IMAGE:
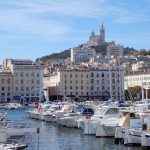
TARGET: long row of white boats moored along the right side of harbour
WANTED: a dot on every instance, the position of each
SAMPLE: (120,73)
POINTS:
(128,125)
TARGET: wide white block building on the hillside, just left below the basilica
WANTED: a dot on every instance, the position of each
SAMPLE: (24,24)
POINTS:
(82,54)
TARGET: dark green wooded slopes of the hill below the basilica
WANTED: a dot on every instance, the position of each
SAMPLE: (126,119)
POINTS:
(66,53)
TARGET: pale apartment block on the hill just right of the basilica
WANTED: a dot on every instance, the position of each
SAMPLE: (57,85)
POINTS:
(115,50)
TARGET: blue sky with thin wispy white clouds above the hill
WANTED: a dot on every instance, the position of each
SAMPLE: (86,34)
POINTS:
(30,29)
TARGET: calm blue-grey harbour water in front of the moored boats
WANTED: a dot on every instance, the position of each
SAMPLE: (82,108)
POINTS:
(56,137)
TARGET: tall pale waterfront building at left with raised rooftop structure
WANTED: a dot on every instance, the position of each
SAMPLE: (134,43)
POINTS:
(27,79)
